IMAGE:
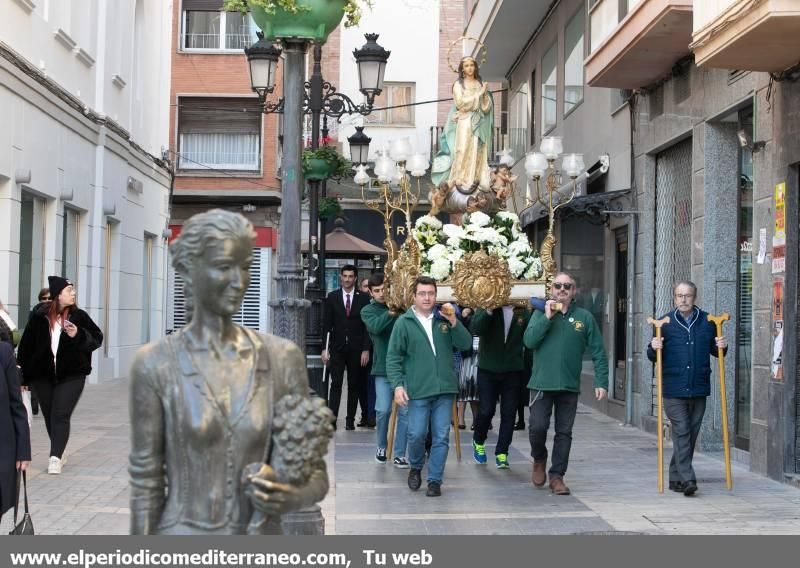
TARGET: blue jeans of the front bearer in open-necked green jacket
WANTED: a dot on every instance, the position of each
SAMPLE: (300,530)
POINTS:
(436,411)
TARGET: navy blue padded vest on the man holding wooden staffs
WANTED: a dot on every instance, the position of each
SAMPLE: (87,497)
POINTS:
(685,356)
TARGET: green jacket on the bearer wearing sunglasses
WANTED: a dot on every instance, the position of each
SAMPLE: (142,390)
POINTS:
(559,344)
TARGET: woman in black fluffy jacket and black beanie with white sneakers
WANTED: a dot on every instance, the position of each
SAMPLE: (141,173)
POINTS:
(56,355)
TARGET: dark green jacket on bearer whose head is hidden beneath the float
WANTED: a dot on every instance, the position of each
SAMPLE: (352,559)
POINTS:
(498,353)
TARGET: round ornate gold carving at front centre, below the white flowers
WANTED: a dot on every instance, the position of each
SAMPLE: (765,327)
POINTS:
(482,281)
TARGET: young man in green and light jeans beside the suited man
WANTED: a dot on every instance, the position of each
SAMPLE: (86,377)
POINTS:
(380,322)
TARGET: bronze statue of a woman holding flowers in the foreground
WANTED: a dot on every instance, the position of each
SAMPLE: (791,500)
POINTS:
(203,404)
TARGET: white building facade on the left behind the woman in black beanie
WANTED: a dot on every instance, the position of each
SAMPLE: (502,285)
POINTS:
(84,192)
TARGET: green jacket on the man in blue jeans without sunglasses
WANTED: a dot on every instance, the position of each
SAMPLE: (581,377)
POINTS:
(411,363)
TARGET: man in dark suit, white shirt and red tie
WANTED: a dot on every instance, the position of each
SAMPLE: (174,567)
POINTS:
(349,343)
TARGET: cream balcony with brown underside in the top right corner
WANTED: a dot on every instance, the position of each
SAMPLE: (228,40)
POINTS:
(747,35)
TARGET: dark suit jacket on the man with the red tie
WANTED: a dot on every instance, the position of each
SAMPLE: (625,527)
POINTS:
(347,333)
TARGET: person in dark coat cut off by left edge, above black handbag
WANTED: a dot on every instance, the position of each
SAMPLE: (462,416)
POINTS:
(15,450)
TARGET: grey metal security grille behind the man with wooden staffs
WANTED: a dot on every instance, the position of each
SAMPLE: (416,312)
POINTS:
(673,224)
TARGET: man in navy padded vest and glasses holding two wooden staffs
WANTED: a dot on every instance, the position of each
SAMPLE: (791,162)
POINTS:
(687,341)
